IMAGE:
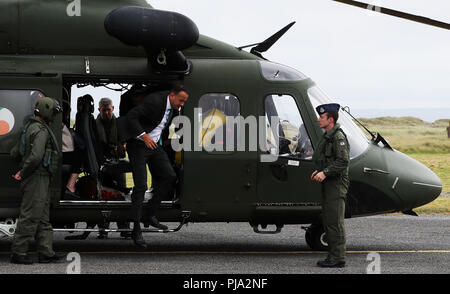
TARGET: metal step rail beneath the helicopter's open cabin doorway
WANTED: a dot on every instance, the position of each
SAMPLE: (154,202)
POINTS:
(185,215)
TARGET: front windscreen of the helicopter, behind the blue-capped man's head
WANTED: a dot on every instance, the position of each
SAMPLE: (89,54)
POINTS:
(358,141)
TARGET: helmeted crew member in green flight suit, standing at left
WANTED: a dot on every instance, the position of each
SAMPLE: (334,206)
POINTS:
(40,154)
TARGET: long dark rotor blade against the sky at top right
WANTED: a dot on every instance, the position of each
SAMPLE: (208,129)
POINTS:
(396,13)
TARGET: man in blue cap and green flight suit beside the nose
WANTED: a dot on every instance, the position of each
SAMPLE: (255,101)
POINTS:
(332,159)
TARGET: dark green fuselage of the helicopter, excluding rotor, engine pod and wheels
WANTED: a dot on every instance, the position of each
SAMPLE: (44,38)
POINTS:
(214,186)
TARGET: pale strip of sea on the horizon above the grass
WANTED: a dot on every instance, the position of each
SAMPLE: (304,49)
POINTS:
(425,114)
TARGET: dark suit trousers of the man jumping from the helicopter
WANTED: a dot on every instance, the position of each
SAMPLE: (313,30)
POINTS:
(163,176)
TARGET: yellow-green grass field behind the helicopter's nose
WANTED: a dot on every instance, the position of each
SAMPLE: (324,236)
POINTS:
(428,143)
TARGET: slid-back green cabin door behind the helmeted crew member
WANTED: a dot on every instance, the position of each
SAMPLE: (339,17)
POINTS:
(18,96)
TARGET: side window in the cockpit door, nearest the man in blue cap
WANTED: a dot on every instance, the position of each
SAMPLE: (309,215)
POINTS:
(293,139)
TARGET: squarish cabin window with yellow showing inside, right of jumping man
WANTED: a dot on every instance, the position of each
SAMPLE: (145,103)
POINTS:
(214,110)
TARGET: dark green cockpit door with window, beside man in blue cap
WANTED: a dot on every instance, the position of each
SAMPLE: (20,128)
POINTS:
(285,191)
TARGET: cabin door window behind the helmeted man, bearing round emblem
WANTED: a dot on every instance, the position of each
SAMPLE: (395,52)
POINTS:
(15,106)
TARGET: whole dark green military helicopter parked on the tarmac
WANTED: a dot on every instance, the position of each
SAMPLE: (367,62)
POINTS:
(49,47)
